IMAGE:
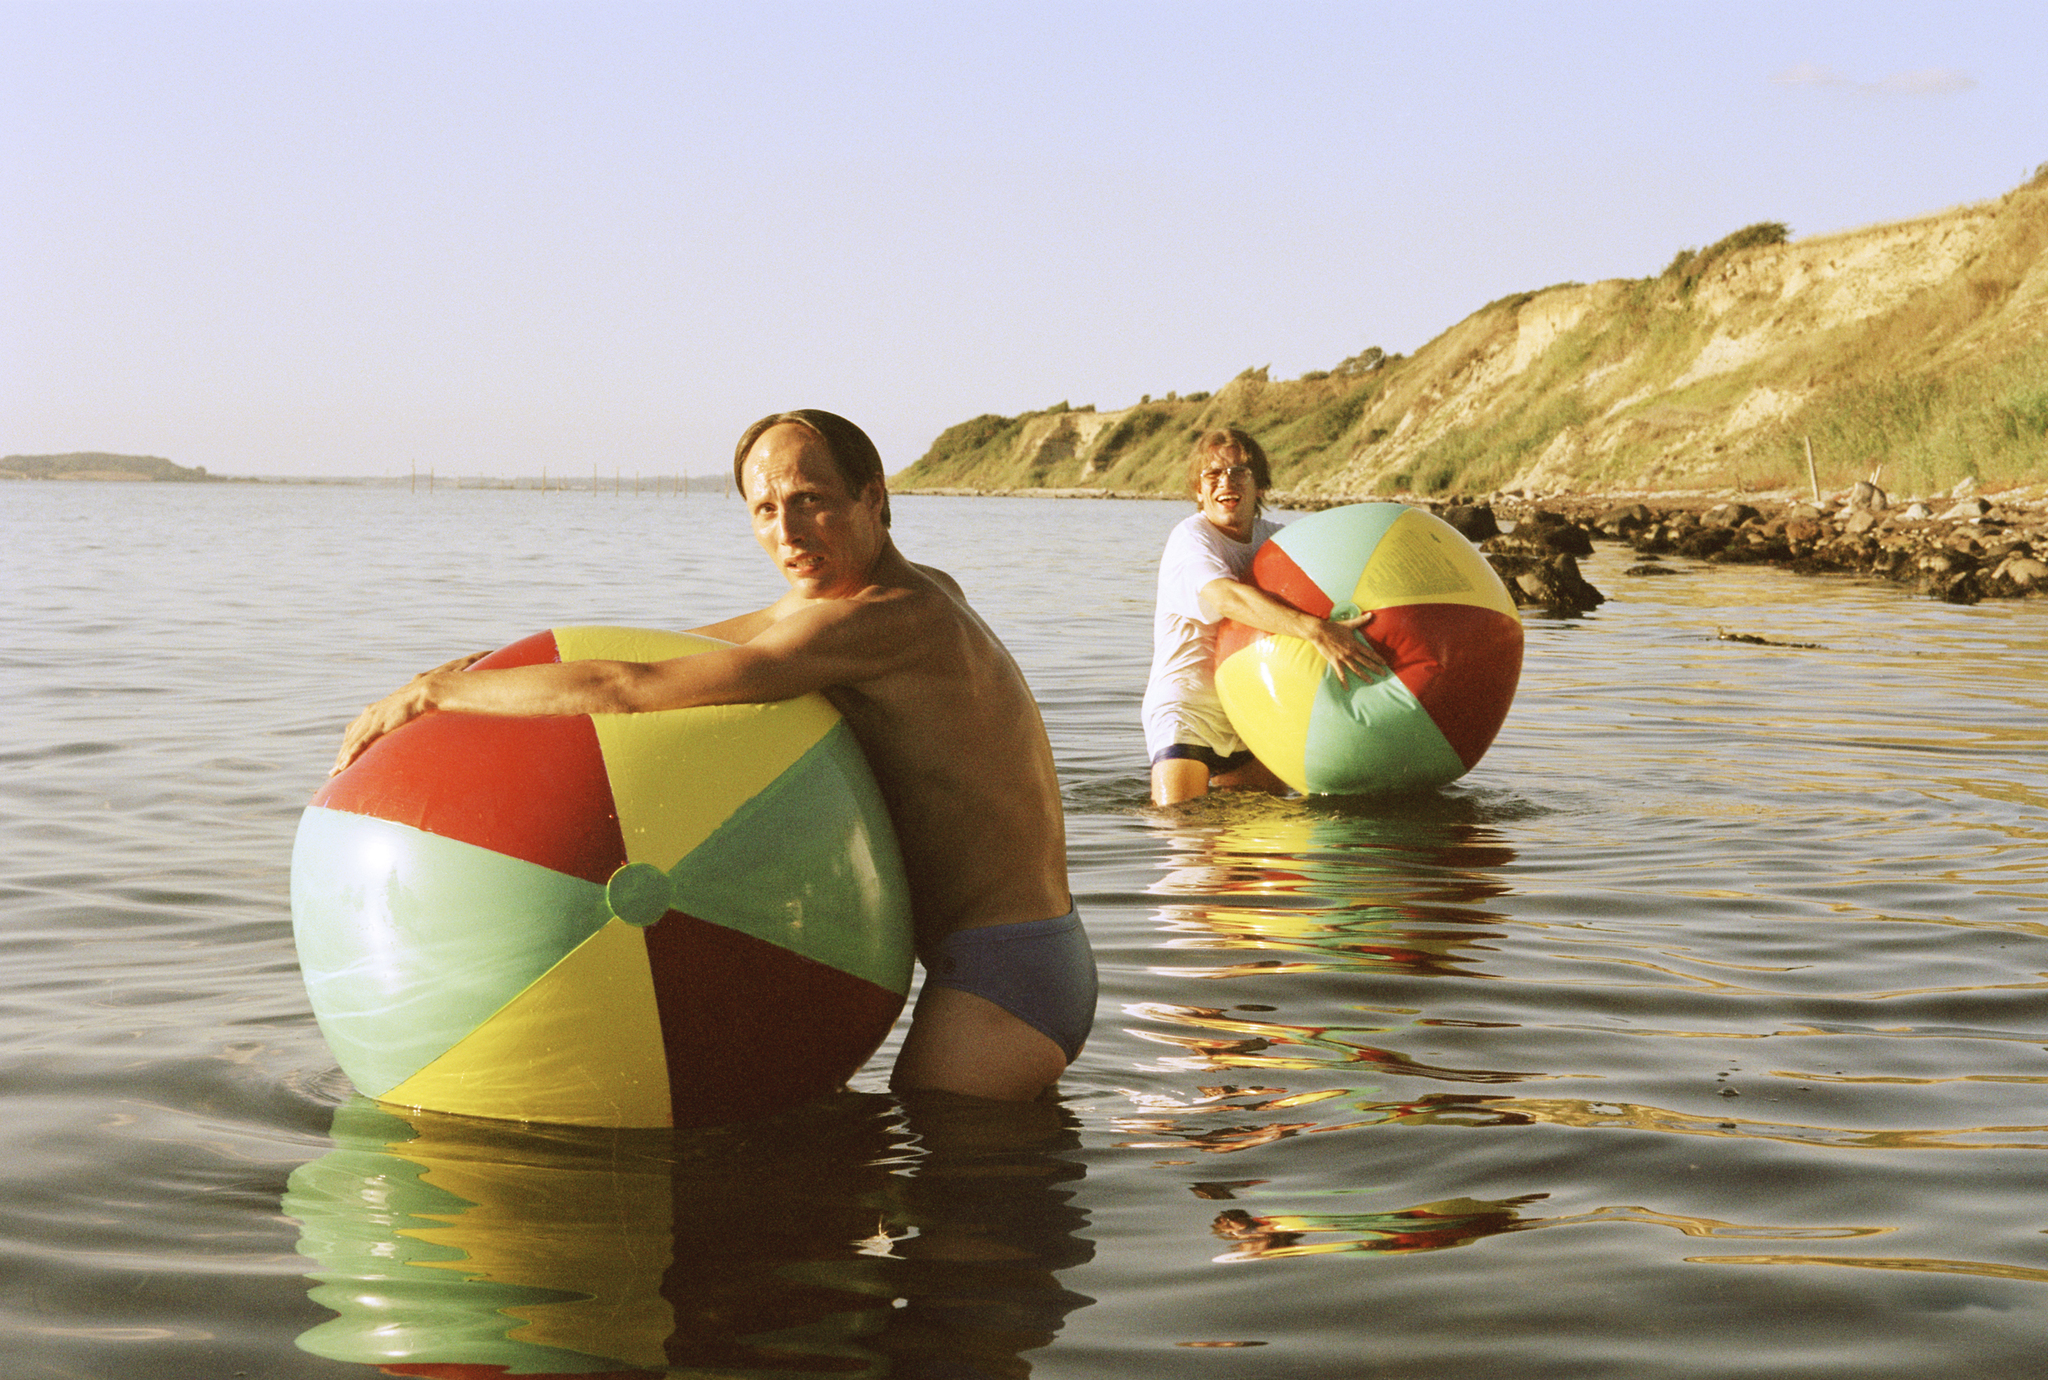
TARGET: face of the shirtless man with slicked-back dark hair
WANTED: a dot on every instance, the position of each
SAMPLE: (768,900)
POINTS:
(820,537)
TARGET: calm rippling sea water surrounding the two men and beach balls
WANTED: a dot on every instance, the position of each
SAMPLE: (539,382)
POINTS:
(1699,1033)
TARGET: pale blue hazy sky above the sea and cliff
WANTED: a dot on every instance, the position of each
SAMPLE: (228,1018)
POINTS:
(341,239)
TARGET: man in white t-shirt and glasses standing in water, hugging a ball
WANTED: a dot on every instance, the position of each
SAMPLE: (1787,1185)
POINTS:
(1189,738)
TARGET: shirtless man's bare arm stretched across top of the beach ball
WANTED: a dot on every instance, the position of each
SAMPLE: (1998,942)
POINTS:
(837,644)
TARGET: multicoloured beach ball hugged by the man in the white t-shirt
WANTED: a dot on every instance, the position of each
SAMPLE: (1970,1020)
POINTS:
(1441,619)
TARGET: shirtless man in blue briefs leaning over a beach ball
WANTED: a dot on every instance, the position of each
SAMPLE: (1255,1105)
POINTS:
(949,728)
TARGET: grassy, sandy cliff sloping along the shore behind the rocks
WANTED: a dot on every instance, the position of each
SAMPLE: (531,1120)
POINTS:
(1918,347)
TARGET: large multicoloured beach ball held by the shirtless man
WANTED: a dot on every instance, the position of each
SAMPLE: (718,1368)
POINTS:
(605,920)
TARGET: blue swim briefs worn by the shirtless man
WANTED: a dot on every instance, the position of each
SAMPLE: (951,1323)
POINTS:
(1041,972)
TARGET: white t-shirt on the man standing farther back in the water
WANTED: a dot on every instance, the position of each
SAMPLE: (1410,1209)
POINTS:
(1181,699)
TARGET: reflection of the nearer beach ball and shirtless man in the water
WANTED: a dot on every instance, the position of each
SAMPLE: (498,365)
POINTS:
(849,1238)
